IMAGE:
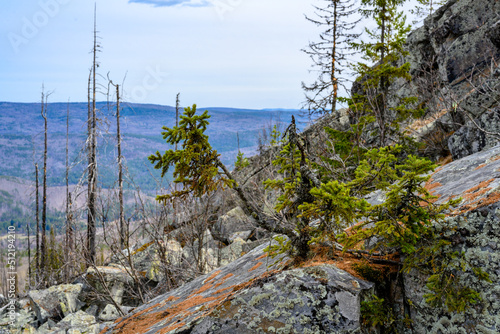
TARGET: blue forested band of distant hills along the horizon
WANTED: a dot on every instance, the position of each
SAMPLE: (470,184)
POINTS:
(21,138)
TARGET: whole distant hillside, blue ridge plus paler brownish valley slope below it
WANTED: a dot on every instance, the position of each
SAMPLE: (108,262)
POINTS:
(21,145)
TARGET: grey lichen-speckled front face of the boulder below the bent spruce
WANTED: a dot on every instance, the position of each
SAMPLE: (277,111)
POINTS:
(321,299)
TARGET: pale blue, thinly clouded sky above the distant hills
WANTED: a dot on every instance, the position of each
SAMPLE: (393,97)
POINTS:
(216,53)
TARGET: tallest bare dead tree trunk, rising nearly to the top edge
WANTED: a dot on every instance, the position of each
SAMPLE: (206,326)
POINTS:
(92,175)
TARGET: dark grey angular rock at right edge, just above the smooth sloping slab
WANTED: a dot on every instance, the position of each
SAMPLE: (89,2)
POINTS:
(476,136)
